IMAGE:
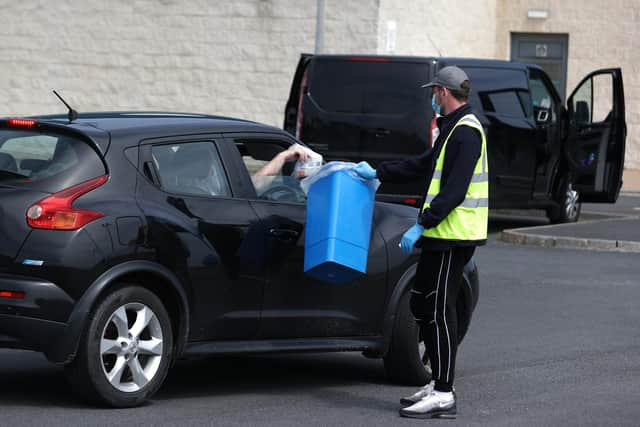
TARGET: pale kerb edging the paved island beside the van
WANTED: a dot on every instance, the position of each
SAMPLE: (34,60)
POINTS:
(520,236)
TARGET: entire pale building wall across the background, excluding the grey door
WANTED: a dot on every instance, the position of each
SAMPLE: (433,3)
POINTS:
(237,57)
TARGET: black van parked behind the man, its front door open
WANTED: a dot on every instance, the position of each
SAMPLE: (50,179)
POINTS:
(542,154)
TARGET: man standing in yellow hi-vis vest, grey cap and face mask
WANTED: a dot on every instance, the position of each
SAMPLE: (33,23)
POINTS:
(452,222)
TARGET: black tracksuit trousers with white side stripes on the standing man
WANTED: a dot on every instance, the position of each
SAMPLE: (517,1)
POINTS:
(433,304)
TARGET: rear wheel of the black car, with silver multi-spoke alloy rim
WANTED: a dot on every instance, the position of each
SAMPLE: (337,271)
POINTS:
(125,351)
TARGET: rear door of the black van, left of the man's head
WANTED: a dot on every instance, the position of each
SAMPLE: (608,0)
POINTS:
(354,108)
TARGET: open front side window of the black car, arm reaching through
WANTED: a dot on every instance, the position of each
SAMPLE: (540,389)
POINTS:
(282,186)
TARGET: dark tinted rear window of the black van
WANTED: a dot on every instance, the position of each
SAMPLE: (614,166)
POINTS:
(363,87)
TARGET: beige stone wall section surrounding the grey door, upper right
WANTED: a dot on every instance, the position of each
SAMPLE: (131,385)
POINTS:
(601,35)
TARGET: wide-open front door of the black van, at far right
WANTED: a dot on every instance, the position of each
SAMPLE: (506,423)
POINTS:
(596,136)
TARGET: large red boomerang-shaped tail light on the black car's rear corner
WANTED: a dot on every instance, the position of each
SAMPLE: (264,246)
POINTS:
(56,211)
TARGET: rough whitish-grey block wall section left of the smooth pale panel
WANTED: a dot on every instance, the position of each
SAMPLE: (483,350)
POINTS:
(229,57)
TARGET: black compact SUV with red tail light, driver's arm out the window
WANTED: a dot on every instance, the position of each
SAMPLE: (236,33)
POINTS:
(130,240)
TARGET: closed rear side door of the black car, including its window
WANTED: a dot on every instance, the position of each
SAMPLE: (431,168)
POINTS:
(198,230)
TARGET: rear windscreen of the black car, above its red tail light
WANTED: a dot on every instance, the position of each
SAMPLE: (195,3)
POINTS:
(46,162)
